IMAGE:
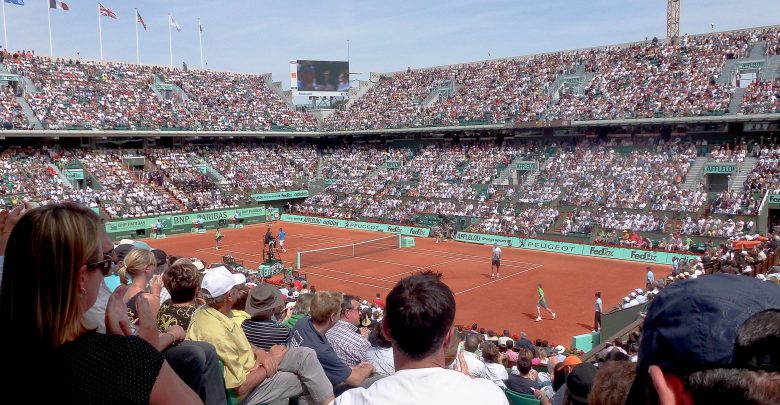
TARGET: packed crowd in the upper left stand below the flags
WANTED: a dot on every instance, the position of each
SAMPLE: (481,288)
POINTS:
(106,95)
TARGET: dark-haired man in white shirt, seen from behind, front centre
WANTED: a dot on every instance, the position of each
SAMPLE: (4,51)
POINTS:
(419,340)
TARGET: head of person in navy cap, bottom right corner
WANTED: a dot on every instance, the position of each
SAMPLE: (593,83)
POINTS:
(712,340)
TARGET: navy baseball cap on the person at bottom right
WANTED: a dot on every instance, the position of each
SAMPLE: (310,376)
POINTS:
(693,324)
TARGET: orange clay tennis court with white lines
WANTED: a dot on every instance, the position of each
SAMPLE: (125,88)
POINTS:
(569,282)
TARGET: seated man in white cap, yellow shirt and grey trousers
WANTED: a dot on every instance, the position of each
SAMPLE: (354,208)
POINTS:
(254,374)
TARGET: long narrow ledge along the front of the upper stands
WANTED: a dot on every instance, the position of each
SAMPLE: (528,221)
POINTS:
(317,134)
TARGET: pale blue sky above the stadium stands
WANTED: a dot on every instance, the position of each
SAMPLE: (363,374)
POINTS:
(262,36)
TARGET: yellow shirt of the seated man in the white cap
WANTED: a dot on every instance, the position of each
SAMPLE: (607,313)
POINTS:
(235,352)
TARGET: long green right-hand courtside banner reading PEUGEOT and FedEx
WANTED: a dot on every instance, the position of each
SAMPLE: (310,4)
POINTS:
(606,252)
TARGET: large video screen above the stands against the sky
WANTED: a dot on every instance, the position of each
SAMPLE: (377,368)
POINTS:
(317,77)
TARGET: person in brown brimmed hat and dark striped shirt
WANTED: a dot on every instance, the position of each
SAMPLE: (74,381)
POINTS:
(263,330)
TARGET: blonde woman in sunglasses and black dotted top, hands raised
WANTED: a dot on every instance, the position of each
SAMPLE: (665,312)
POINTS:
(56,258)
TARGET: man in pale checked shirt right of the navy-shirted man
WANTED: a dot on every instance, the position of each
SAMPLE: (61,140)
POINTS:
(349,342)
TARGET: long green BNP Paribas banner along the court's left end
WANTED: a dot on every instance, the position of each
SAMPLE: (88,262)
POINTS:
(169,221)
